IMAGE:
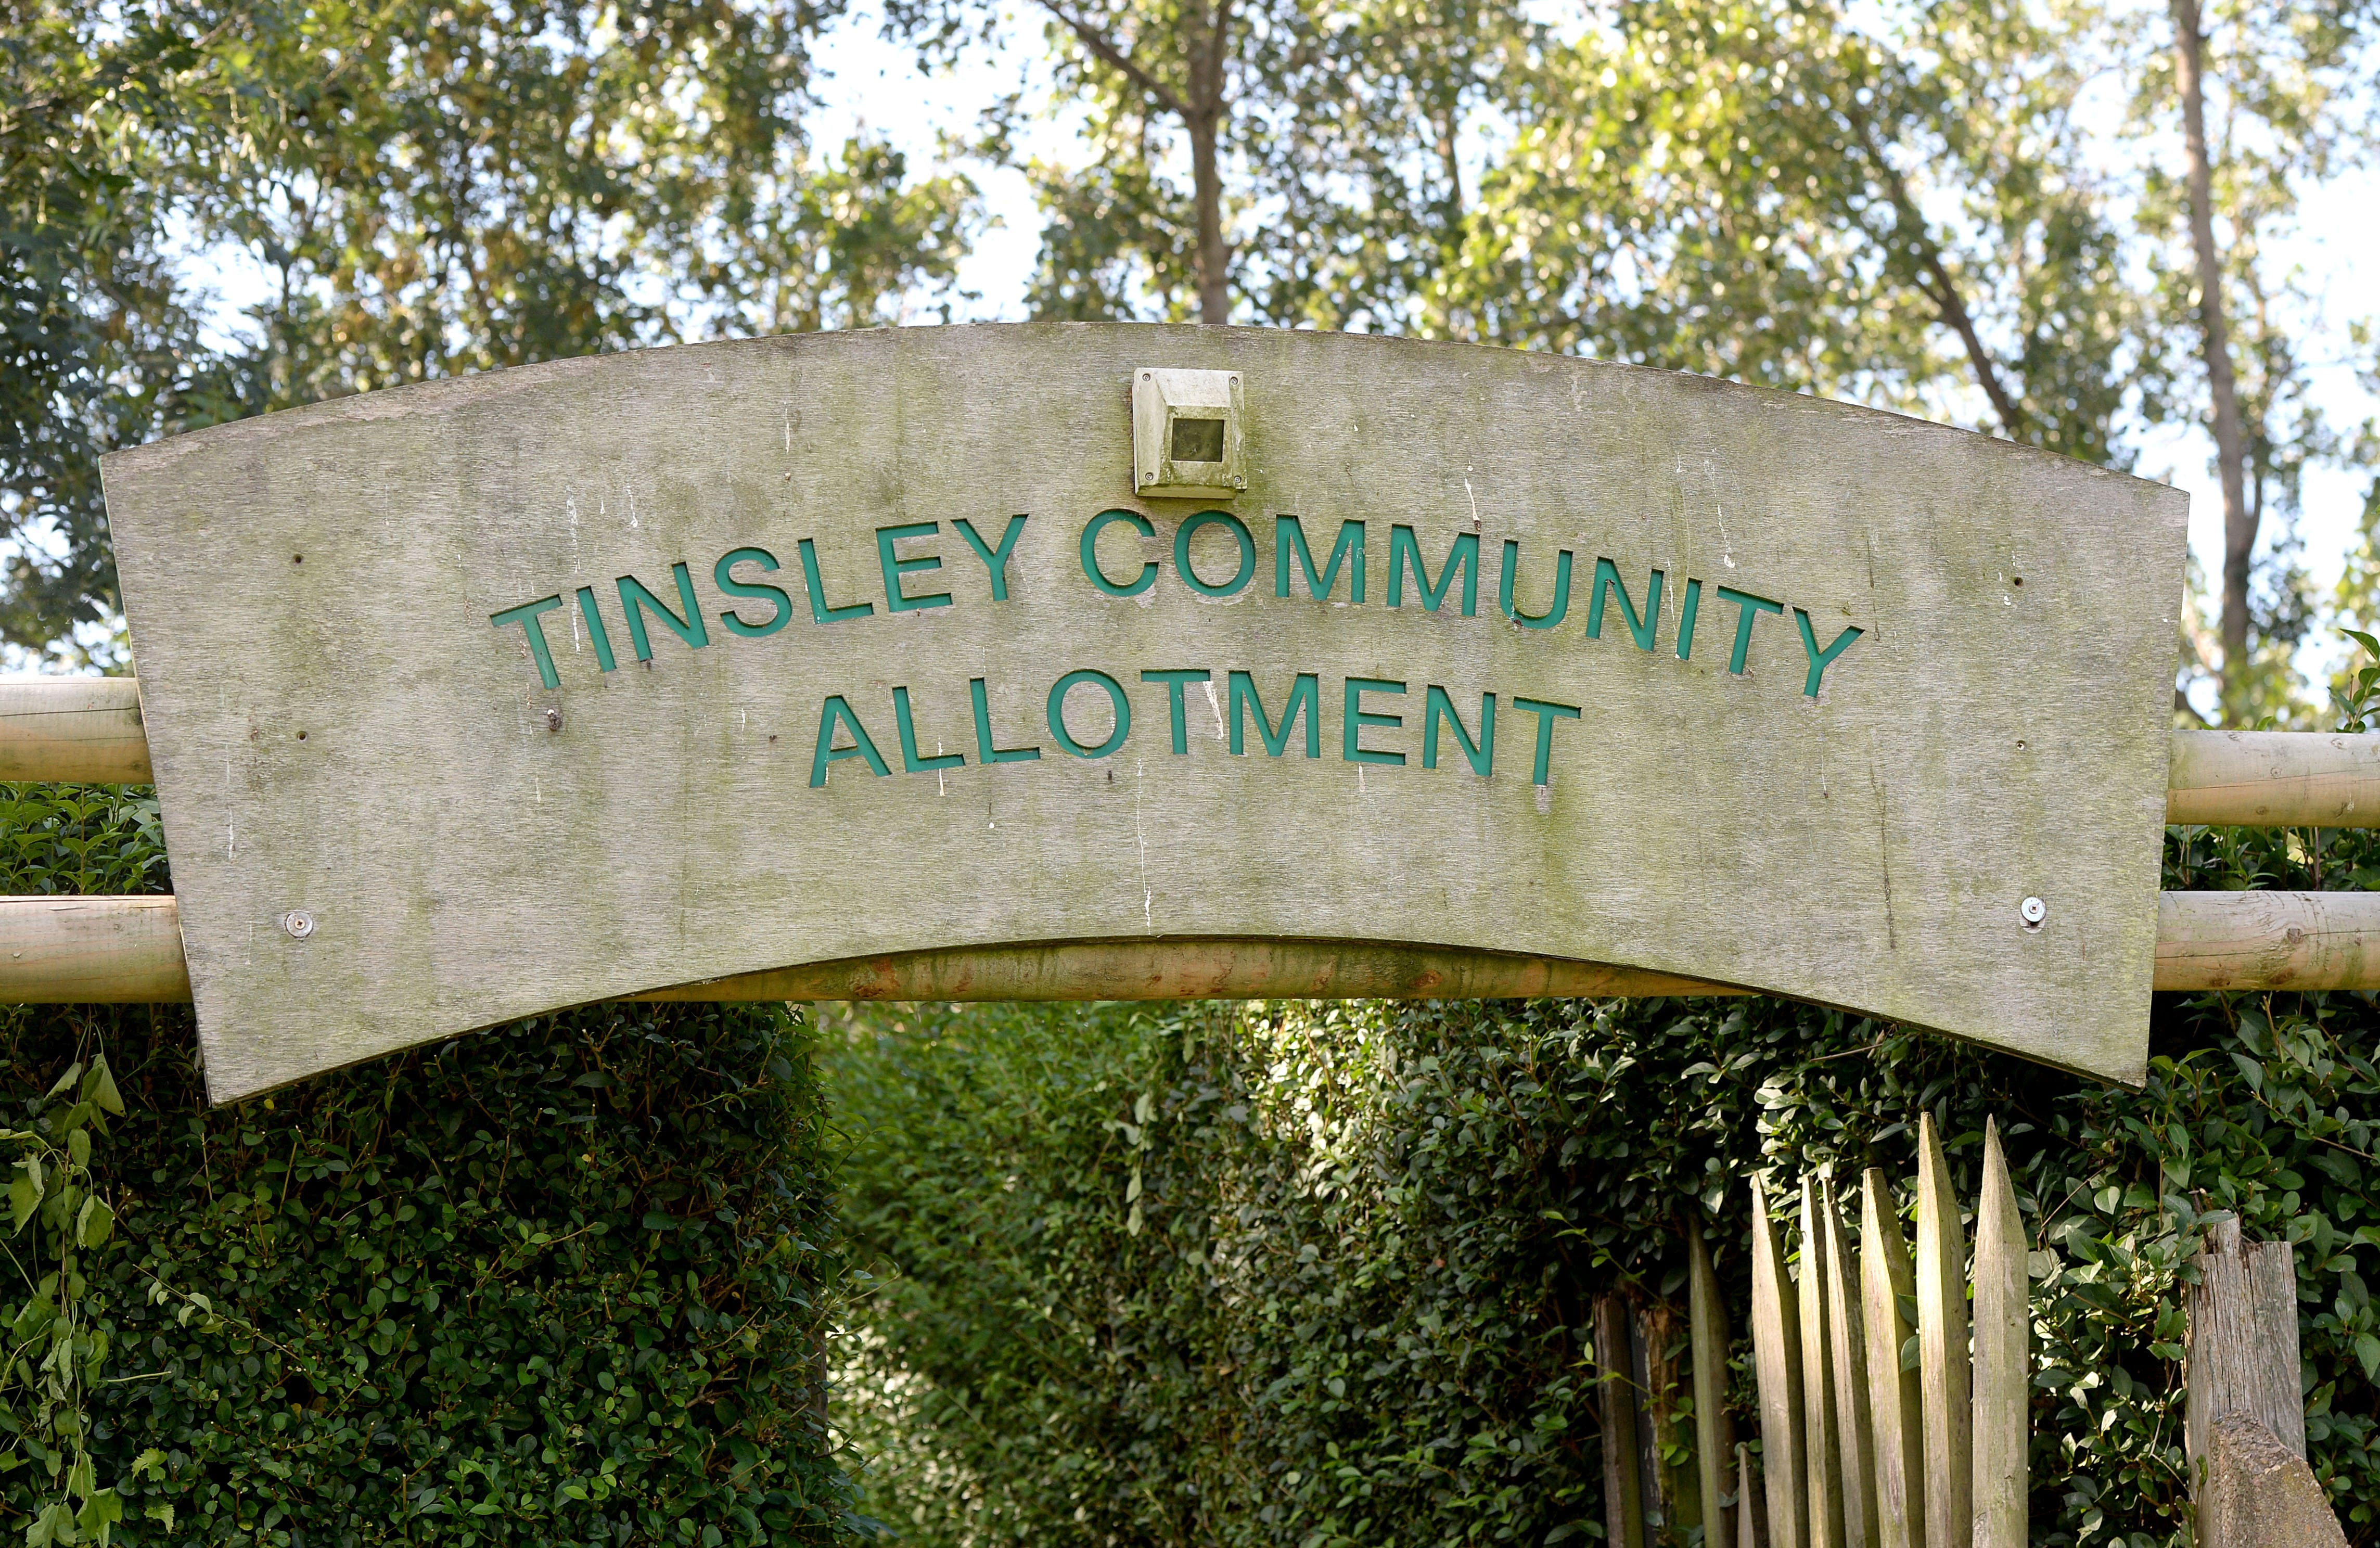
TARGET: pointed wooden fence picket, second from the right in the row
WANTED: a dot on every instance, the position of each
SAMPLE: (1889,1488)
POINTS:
(1943,1352)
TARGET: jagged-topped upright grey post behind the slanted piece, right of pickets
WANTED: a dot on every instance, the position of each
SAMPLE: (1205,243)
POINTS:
(2243,1342)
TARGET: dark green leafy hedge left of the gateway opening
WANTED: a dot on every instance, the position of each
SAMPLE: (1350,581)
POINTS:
(565,1282)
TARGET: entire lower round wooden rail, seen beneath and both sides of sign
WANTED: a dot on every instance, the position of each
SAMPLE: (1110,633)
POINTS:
(127,951)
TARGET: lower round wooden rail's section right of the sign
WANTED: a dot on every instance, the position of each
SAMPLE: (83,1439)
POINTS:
(2269,942)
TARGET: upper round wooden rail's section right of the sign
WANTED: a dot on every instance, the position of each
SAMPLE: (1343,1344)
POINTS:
(2326,780)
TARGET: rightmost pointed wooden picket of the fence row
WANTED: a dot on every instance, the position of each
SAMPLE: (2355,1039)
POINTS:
(2003,1356)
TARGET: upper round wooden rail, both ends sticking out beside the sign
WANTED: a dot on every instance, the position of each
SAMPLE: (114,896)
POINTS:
(89,730)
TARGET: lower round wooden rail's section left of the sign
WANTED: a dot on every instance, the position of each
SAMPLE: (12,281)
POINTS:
(92,951)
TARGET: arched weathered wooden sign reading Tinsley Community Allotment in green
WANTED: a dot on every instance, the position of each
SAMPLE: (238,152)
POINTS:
(503,694)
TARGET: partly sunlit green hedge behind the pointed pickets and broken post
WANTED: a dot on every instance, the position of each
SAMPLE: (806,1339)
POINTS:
(1322,1275)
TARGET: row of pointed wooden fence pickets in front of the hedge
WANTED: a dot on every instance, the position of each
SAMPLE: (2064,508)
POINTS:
(1860,1444)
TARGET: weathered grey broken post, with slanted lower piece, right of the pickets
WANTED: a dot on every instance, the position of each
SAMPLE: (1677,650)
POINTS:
(2246,1428)
